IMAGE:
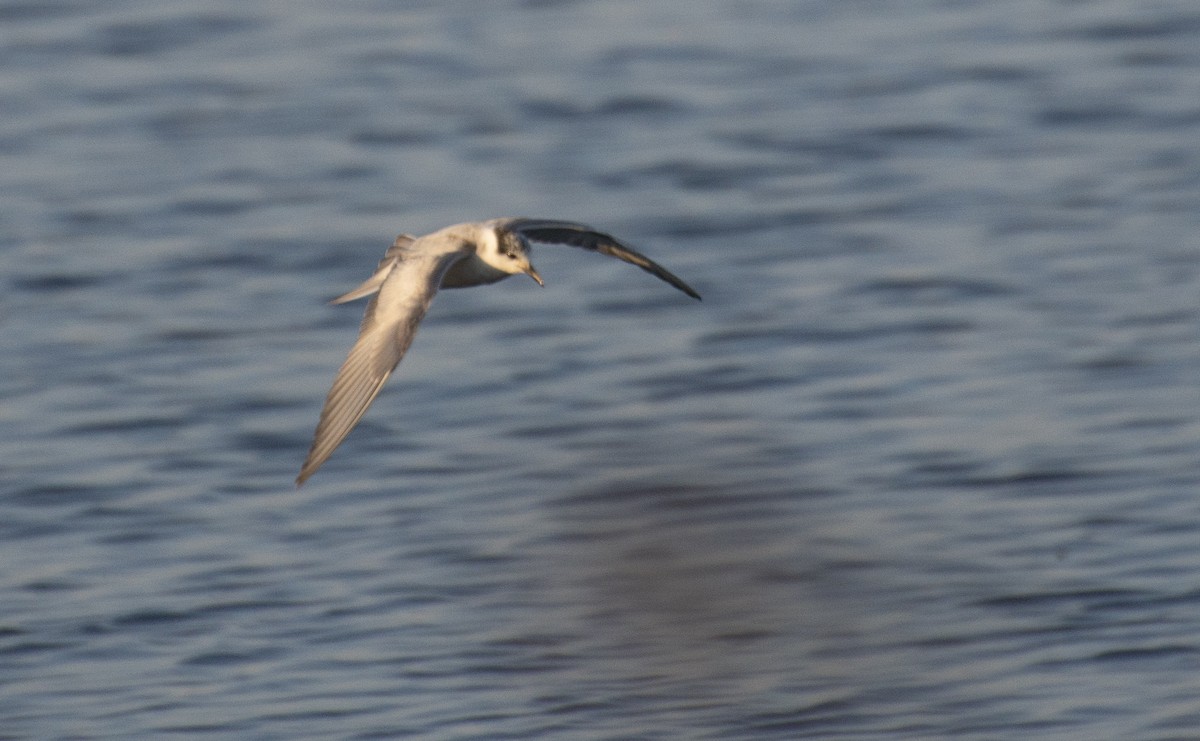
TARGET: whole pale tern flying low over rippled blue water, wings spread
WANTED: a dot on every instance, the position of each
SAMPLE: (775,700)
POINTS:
(404,286)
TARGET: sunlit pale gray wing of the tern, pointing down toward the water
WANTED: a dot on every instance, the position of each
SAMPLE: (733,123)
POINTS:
(388,330)
